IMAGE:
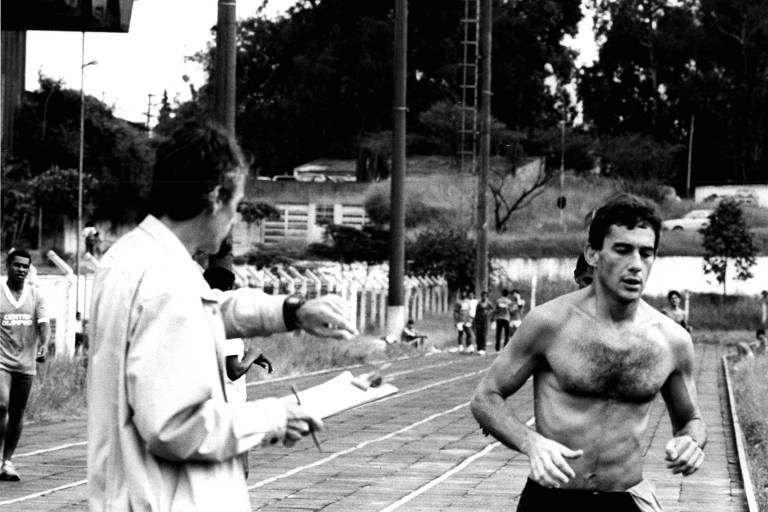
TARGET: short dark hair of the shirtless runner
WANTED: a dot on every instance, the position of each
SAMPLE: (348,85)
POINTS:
(626,210)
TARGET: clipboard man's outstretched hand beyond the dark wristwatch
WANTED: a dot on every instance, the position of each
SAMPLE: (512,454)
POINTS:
(326,316)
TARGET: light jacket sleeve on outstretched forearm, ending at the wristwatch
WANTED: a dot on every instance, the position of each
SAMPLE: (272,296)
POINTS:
(248,312)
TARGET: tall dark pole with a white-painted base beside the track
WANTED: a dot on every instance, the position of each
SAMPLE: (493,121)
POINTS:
(395,298)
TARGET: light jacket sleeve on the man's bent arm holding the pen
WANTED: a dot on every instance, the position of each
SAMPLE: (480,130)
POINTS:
(172,377)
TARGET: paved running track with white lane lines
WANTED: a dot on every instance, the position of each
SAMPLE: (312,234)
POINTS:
(419,450)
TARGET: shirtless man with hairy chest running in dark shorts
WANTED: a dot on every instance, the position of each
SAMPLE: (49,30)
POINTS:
(598,356)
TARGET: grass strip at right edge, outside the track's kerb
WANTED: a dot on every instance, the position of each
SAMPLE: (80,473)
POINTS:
(751,390)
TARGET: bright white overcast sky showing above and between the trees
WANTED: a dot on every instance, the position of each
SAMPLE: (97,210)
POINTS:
(151,57)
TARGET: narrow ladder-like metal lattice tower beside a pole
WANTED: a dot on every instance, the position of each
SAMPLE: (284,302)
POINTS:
(470,25)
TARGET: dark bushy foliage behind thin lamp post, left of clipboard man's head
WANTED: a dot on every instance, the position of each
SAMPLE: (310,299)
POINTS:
(117,154)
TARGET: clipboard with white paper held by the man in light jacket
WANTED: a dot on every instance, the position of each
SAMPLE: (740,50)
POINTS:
(337,395)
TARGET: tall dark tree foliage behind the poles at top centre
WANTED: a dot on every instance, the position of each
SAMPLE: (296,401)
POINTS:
(317,81)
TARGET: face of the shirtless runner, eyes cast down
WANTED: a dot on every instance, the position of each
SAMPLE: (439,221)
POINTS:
(625,261)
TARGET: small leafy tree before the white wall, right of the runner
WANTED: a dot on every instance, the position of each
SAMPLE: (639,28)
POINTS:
(728,239)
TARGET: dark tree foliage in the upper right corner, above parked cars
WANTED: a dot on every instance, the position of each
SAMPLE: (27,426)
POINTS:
(662,63)
